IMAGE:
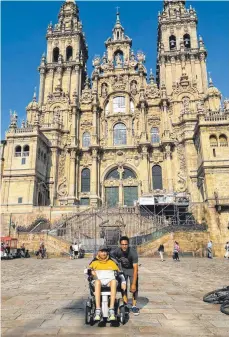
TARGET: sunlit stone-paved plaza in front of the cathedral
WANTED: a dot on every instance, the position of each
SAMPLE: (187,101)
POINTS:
(47,297)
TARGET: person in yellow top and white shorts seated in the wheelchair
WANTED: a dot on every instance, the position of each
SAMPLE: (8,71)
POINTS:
(104,271)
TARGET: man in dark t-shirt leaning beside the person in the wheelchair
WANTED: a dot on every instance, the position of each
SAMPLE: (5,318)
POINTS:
(128,258)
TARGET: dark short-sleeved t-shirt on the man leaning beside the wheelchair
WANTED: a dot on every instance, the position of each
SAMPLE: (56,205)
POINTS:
(127,259)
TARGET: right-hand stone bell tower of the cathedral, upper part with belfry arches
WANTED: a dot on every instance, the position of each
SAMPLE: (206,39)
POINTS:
(178,49)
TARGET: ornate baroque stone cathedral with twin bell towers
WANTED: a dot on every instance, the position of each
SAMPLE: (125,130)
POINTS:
(123,135)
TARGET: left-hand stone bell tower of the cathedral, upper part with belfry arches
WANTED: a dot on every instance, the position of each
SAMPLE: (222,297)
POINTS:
(63,65)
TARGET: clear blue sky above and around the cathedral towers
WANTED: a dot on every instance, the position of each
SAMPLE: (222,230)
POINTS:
(24,27)
